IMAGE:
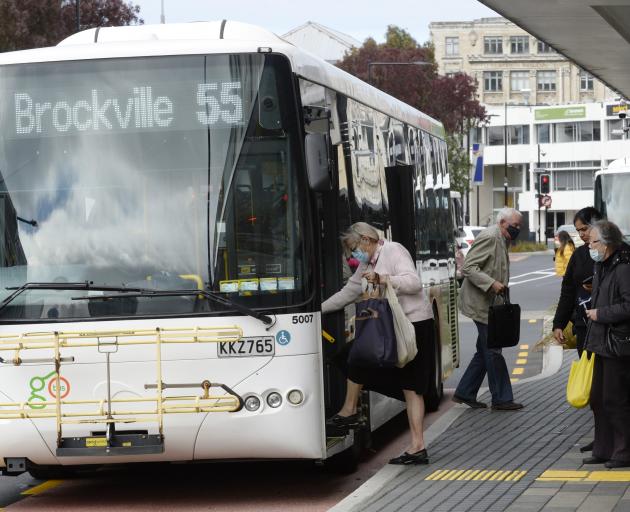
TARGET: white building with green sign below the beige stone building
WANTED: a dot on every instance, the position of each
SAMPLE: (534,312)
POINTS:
(570,142)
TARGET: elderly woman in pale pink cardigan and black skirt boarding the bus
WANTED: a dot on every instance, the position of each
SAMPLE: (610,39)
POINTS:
(381,262)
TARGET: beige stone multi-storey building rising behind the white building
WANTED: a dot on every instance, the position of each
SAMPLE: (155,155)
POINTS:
(510,65)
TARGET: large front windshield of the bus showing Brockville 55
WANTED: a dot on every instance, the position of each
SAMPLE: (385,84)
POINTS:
(164,173)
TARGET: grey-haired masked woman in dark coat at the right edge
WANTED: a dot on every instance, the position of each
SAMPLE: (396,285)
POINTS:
(609,319)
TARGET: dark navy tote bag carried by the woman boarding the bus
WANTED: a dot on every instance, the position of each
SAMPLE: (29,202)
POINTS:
(374,343)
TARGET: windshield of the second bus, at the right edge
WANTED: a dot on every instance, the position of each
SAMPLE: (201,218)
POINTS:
(611,196)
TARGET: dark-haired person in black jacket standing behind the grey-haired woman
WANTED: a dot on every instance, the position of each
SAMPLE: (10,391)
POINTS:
(576,289)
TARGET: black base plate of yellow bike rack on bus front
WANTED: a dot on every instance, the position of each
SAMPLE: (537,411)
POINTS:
(121,444)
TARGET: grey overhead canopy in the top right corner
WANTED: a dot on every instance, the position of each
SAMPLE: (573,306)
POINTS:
(595,34)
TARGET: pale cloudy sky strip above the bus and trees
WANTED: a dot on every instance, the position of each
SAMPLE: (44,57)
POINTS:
(359,19)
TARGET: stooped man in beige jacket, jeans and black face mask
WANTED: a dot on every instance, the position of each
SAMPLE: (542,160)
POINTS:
(486,273)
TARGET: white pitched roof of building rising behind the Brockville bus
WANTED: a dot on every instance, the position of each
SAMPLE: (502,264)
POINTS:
(328,44)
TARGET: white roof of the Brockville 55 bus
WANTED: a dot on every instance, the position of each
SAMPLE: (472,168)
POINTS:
(218,37)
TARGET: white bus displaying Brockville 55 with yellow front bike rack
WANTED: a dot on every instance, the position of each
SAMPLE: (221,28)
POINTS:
(171,202)
